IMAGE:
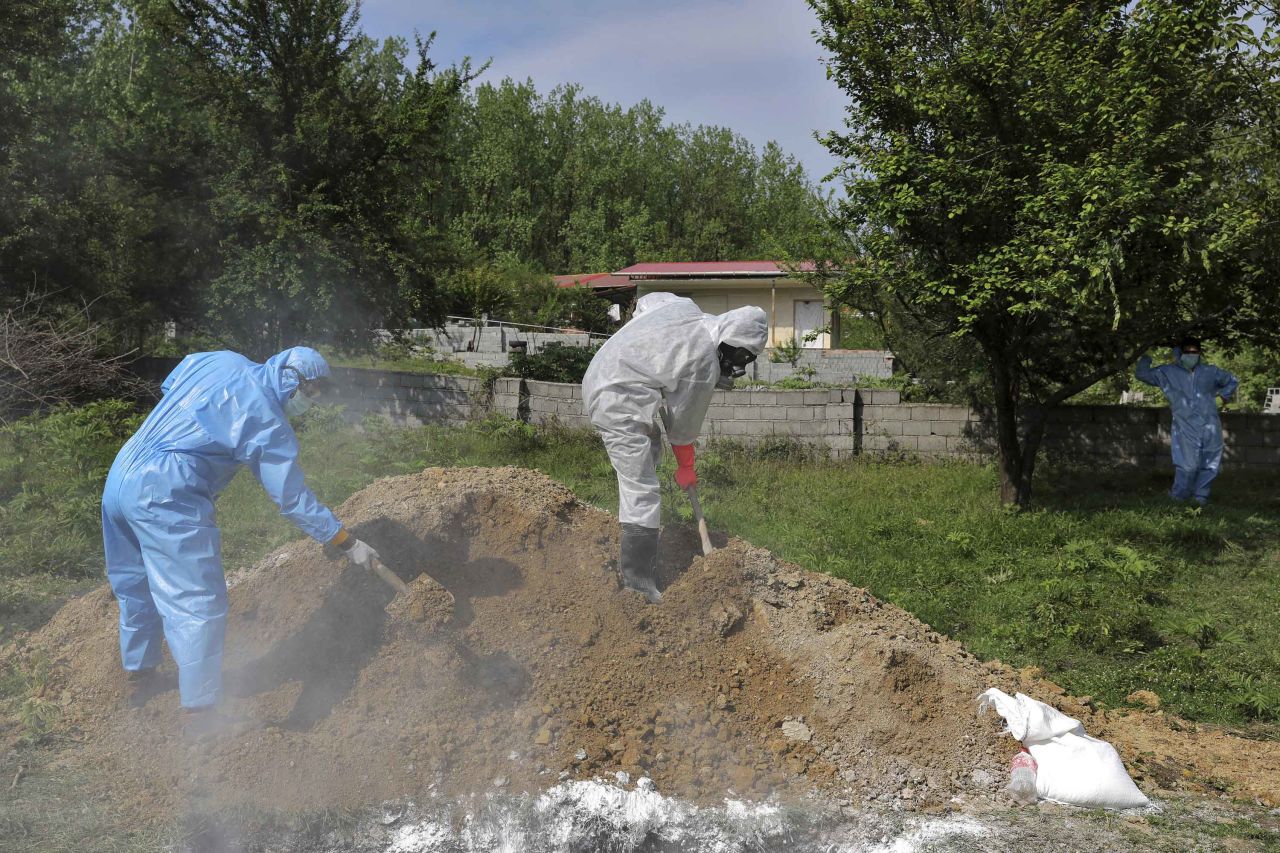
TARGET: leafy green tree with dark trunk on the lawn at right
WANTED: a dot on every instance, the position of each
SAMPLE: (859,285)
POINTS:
(1055,185)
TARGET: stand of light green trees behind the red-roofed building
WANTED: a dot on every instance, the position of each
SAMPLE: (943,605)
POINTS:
(574,185)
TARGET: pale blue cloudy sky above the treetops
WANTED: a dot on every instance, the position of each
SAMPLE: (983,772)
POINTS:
(752,66)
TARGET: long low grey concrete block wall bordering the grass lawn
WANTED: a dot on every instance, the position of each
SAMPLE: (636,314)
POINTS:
(839,422)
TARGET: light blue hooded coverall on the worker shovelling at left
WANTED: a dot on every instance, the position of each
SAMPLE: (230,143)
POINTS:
(220,412)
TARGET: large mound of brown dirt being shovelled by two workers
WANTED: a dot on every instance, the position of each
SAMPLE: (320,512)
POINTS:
(753,677)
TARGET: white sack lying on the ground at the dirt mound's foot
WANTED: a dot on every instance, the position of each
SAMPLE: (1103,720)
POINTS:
(1075,769)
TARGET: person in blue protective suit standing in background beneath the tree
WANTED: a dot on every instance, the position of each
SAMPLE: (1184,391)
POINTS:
(1192,389)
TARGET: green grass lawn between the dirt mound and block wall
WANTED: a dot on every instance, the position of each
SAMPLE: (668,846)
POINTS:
(1107,586)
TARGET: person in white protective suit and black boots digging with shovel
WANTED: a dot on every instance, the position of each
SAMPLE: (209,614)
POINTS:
(666,363)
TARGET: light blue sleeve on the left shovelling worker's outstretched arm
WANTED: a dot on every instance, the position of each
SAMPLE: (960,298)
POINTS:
(272,454)
